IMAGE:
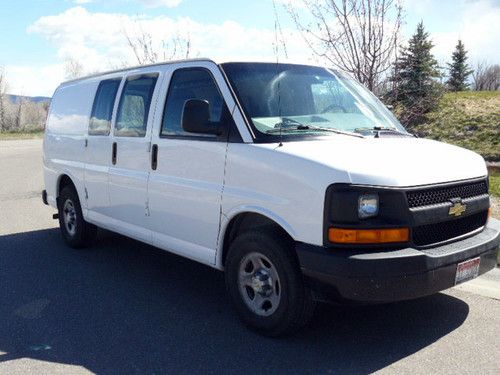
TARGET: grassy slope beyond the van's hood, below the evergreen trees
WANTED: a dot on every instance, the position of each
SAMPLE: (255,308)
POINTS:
(469,119)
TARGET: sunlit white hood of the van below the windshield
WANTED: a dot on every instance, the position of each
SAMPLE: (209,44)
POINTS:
(397,162)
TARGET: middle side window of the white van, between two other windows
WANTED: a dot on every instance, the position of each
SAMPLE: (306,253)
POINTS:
(133,111)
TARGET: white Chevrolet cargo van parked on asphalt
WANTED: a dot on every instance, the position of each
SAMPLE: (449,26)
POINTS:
(295,180)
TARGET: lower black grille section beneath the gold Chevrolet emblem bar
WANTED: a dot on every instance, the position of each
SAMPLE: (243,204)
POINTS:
(438,232)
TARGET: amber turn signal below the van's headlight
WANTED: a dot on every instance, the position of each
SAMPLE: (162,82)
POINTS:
(368,236)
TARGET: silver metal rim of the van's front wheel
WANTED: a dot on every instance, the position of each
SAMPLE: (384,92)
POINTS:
(259,284)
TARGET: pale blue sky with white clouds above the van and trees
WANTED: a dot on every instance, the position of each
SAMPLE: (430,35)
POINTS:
(38,37)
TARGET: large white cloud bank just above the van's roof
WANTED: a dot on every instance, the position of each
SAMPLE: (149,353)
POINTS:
(97,40)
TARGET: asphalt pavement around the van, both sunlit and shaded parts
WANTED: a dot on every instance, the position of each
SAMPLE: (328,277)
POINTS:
(122,307)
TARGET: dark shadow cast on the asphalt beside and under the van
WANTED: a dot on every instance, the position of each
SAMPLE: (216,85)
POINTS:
(125,307)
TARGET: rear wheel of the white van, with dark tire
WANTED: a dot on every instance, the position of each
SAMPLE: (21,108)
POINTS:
(77,233)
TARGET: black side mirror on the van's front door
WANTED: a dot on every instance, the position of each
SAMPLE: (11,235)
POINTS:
(196,118)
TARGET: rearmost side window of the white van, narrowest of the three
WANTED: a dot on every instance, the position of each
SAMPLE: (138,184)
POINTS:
(100,119)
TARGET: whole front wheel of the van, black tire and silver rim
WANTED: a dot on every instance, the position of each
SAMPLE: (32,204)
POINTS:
(269,272)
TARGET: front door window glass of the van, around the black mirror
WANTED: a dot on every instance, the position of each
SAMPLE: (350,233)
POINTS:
(191,83)
